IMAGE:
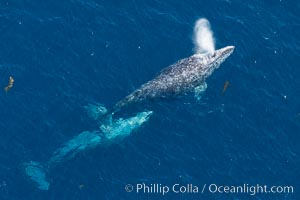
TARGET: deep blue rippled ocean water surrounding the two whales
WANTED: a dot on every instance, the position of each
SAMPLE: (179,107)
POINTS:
(64,55)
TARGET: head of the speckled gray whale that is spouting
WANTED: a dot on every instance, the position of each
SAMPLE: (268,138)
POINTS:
(212,60)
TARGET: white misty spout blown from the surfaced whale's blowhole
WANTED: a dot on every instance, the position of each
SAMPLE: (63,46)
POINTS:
(203,37)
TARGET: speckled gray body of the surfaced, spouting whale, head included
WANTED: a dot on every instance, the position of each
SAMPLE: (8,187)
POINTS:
(179,78)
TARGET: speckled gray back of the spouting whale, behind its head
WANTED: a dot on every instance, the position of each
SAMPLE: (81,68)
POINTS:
(176,79)
